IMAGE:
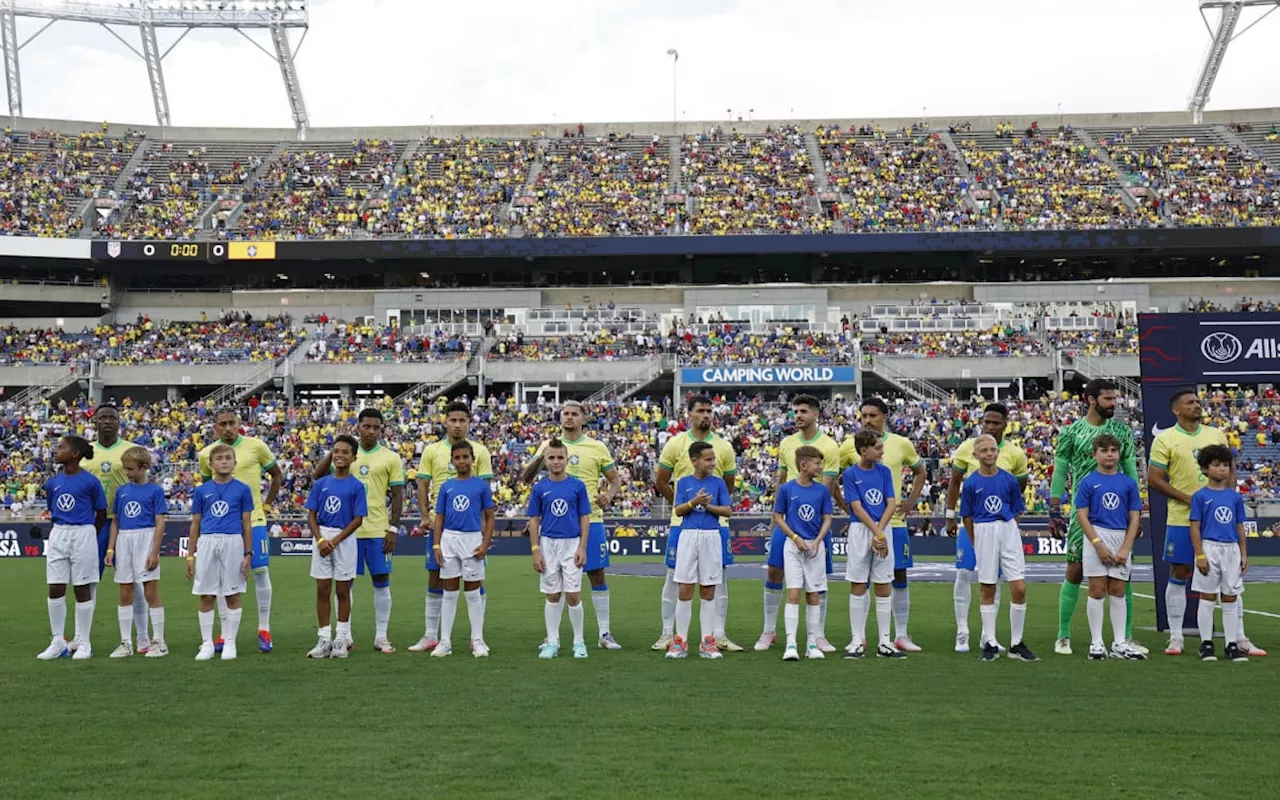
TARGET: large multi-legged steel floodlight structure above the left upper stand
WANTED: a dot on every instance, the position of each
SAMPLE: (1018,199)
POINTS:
(277,17)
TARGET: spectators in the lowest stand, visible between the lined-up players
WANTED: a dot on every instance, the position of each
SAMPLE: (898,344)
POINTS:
(636,433)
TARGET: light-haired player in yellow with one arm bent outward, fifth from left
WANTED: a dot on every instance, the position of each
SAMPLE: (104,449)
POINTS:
(589,461)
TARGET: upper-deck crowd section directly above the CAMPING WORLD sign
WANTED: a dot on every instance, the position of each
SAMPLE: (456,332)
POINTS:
(752,184)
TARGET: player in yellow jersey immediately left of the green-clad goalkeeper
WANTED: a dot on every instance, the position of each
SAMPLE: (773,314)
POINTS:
(1011,459)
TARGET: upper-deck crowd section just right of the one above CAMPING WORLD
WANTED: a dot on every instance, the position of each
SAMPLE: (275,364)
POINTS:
(898,181)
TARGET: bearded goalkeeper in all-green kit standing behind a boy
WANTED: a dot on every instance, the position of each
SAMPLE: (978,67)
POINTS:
(1073,456)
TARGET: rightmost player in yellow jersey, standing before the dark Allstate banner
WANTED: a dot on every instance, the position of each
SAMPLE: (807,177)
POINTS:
(1173,470)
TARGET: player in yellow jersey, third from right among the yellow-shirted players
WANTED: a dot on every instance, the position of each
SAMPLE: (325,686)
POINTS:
(899,456)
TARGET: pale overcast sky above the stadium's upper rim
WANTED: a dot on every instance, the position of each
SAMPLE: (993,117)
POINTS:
(404,62)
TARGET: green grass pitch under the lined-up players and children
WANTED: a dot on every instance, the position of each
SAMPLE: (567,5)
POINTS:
(620,725)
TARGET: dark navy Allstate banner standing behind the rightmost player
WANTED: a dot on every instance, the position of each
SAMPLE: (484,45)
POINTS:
(1182,351)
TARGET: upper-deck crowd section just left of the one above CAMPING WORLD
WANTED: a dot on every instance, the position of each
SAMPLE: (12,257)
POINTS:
(607,186)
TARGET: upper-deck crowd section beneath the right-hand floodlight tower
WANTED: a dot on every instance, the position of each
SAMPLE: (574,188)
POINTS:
(1201,179)
